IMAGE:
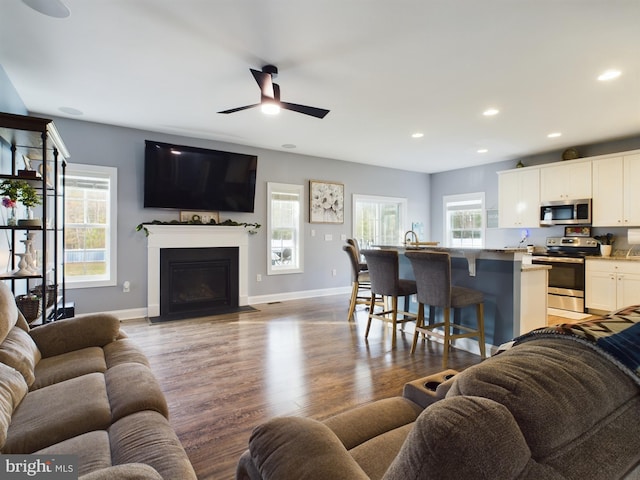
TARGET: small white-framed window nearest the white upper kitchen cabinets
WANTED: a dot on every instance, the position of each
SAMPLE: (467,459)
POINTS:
(464,224)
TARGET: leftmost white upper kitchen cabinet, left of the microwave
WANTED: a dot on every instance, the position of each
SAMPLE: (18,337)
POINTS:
(519,198)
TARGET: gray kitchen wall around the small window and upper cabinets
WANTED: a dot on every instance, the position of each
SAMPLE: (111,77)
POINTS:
(484,178)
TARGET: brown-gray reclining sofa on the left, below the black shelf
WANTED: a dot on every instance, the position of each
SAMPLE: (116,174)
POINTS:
(80,387)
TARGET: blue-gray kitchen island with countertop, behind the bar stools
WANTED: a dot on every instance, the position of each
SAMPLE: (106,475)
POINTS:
(515,294)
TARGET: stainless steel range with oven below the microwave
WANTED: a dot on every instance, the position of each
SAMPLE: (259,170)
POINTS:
(566,256)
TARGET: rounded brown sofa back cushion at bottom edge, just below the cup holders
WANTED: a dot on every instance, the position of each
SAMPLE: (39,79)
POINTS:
(465,437)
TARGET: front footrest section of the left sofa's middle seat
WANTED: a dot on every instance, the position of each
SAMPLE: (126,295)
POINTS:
(125,400)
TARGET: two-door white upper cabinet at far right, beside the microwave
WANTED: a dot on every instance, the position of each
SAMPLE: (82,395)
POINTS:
(615,193)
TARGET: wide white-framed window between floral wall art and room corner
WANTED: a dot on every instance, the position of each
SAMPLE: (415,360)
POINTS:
(378,220)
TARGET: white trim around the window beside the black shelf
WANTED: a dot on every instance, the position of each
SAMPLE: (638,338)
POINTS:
(73,169)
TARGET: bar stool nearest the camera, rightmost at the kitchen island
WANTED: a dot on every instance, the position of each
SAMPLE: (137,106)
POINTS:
(432,271)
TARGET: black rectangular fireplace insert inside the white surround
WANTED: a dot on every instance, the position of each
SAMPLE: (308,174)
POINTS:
(196,282)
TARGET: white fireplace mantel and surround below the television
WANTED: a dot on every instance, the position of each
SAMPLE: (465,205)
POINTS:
(193,236)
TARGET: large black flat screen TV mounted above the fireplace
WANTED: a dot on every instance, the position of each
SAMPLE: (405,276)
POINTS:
(191,178)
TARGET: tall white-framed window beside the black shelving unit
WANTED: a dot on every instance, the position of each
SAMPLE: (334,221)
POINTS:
(90,219)
